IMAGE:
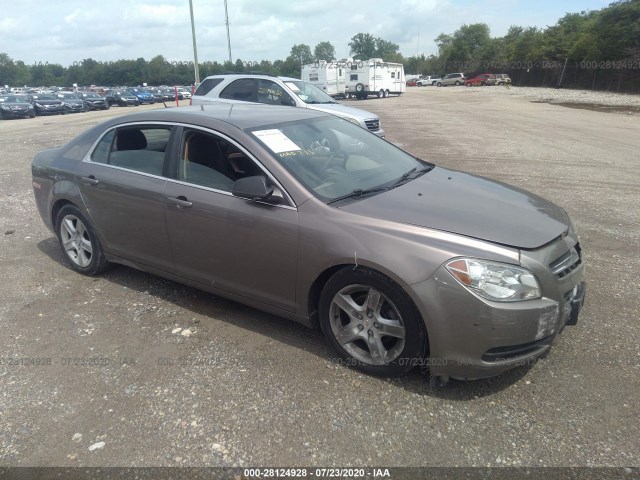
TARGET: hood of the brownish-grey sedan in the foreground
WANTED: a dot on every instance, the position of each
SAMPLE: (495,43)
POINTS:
(469,205)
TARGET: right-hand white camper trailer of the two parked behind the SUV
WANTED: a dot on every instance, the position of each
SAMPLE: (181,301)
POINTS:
(375,77)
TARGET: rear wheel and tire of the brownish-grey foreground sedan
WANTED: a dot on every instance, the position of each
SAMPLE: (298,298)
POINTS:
(78,241)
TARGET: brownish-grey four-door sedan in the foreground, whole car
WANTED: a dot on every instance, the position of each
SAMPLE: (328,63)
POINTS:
(305,215)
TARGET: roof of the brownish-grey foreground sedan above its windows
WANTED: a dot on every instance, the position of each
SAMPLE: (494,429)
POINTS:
(242,115)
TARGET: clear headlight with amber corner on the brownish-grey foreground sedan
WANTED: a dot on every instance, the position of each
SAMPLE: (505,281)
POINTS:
(495,281)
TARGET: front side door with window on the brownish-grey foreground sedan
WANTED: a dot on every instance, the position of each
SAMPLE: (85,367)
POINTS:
(232,244)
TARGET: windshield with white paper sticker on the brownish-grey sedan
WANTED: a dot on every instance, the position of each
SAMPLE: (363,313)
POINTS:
(338,161)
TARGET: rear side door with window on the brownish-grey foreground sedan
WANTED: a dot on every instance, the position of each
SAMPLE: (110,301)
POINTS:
(122,186)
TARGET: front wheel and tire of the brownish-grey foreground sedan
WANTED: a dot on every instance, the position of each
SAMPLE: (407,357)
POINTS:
(371,322)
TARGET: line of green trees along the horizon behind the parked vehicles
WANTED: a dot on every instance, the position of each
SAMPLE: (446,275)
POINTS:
(589,49)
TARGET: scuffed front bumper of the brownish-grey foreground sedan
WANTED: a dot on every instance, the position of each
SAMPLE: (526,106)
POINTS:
(471,337)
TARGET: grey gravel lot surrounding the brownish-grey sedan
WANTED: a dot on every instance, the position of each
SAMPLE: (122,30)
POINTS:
(128,369)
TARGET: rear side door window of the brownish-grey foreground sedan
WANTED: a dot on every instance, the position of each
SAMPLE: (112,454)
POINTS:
(135,148)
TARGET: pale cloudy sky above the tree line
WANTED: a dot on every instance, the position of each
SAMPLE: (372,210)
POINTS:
(64,31)
